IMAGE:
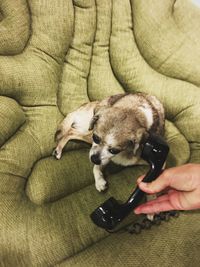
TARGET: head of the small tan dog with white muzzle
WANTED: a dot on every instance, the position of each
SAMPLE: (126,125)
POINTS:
(115,131)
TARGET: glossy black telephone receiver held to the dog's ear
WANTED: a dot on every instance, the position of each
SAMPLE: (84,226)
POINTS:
(110,213)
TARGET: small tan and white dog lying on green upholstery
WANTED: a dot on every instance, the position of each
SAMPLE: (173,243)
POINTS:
(116,127)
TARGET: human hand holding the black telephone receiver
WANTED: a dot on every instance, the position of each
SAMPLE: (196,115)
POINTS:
(181,187)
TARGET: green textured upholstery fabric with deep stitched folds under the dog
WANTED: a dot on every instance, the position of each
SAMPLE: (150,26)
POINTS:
(56,55)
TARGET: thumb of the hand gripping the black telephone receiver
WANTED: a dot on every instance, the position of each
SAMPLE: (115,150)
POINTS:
(161,183)
